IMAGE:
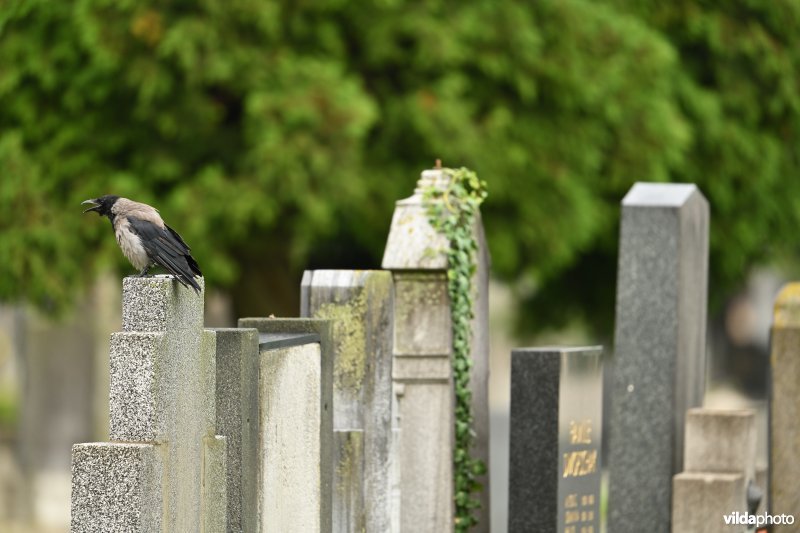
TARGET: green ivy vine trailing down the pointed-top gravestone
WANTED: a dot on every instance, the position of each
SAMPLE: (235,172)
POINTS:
(452,212)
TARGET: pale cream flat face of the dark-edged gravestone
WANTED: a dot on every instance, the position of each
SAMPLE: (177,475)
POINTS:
(292,490)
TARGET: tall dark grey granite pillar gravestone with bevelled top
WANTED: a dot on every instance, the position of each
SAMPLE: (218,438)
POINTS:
(659,348)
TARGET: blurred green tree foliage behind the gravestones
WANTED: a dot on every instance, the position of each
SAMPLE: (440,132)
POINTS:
(275,135)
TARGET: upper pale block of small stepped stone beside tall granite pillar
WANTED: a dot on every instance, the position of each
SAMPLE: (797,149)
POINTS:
(720,441)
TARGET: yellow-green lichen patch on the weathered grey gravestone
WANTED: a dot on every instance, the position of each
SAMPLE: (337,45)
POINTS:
(347,320)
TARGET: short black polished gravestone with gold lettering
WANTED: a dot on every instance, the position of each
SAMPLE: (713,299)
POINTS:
(555,435)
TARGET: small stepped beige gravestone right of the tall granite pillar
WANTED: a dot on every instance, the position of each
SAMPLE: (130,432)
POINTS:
(720,454)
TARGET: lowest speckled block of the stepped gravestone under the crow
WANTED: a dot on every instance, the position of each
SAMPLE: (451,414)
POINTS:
(116,487)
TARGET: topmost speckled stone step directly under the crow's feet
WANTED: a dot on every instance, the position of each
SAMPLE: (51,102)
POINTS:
(160,303)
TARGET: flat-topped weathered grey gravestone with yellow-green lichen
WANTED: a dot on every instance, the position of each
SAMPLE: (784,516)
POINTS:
(359,305)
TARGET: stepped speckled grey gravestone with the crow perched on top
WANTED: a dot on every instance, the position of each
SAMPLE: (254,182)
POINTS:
(164,469)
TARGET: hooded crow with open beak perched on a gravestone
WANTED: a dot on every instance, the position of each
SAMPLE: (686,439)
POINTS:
(145,239)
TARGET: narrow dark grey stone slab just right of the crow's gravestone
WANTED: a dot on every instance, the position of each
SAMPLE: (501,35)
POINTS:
(237,419)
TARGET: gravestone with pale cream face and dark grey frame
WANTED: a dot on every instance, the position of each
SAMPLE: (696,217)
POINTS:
(295,424)
